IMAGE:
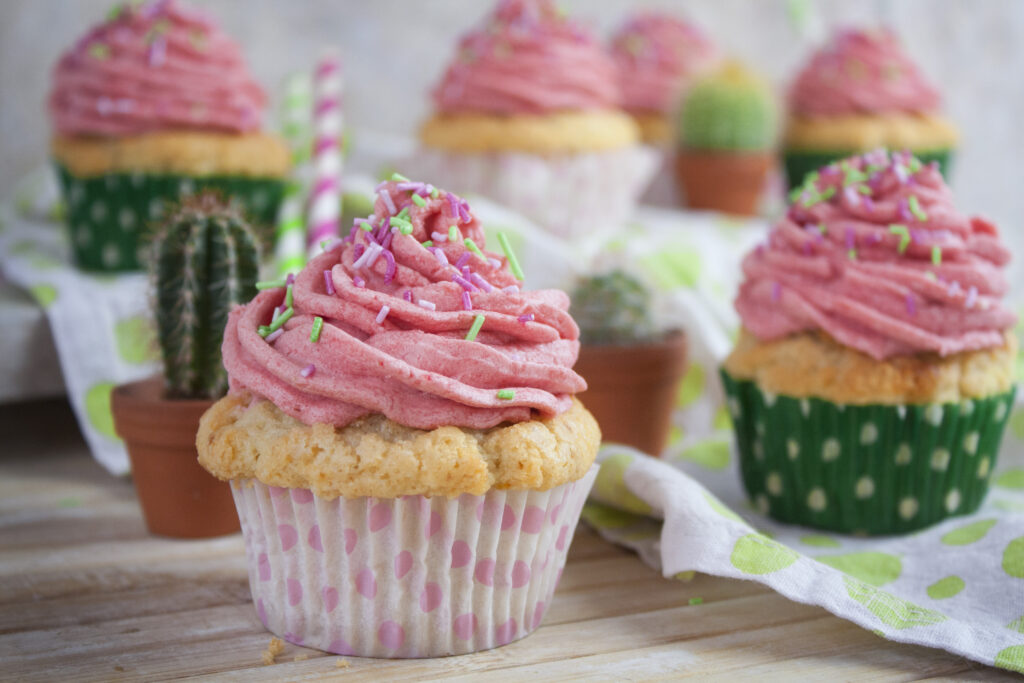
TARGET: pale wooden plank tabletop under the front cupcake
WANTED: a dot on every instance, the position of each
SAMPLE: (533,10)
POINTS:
(87,594)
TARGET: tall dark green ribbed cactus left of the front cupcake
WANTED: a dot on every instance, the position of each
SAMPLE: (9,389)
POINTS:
(204,261)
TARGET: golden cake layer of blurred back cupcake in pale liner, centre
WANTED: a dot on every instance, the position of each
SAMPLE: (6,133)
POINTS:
(564,133)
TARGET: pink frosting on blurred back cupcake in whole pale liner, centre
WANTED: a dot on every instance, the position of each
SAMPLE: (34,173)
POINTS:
(528,60)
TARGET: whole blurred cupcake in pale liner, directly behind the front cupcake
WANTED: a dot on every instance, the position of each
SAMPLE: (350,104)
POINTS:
(529,115)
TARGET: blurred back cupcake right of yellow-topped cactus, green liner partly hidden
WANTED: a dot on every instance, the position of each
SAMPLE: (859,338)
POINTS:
(858,94)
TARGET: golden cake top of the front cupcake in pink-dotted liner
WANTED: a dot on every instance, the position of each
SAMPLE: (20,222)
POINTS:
(241,438)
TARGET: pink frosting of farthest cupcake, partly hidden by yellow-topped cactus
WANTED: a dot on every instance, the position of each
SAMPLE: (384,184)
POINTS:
(659,57)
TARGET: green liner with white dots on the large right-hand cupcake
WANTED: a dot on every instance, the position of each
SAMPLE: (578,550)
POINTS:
(865,469)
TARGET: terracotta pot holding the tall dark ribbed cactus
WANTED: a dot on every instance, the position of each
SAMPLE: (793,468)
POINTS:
(180,498)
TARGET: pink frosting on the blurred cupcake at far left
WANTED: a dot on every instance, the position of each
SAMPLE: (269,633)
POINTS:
(154,67)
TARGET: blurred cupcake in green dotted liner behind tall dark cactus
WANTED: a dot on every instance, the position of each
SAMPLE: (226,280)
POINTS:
(153,104)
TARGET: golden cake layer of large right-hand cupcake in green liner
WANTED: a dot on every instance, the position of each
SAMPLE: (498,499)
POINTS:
(813,365)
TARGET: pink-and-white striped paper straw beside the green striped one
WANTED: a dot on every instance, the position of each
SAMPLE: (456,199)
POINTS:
(325,206)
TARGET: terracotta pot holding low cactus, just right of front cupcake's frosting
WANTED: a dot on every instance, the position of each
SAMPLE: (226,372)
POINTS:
(632,390)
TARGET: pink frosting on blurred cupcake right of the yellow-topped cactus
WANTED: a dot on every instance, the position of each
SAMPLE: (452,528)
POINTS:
(862,72)
